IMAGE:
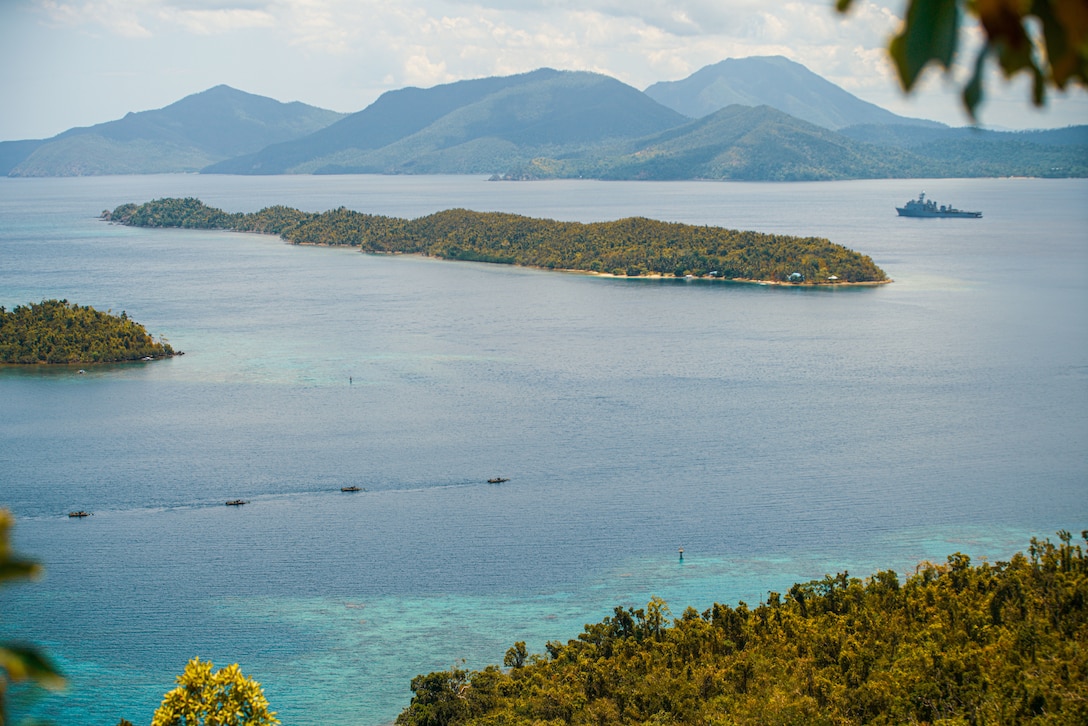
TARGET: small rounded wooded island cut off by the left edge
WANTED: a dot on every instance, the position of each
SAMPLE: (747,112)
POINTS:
(61,333)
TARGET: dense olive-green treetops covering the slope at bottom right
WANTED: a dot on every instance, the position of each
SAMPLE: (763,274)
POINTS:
(956,644)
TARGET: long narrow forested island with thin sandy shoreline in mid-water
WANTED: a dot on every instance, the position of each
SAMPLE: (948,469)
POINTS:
(628,248)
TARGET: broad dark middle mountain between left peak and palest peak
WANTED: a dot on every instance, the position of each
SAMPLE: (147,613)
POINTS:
(471,127)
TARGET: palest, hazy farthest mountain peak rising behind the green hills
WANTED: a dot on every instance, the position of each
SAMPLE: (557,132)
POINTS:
(776,82)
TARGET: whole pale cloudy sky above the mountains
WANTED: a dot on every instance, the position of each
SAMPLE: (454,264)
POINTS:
(81,63)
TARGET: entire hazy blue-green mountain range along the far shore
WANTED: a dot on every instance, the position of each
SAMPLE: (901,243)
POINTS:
(743,119)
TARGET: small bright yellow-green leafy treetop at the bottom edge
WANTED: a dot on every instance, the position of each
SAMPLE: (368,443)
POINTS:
(205,697)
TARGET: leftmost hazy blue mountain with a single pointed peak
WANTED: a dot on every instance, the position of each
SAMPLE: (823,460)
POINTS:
(184,137)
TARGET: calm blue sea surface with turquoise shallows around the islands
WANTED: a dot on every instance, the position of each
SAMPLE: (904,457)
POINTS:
(776,435)
